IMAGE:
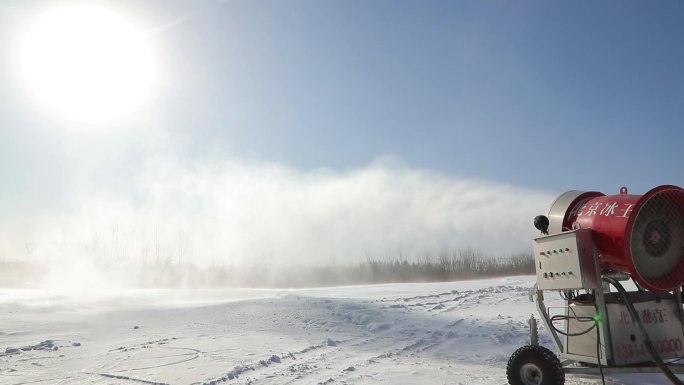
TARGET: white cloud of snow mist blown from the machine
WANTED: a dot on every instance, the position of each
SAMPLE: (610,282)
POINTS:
(235,212)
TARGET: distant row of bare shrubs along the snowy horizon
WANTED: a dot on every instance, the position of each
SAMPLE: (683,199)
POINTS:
(461,264)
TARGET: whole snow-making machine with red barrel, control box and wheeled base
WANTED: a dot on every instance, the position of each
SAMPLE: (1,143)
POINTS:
(592,242)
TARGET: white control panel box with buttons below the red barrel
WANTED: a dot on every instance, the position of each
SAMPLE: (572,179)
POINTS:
(566,261)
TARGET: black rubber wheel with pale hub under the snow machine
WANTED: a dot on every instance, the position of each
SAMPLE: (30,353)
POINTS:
(534,365)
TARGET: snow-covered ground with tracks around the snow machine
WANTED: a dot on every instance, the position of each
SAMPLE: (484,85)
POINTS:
(436,333)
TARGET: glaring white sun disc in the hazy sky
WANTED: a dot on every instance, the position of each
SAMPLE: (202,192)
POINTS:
(86,62)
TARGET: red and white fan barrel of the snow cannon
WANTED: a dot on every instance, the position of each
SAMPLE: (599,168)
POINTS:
(641,235)
